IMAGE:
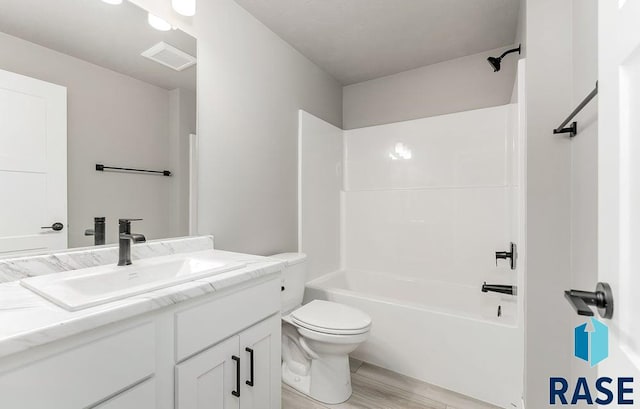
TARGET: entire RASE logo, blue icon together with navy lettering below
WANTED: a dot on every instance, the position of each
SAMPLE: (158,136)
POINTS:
(591,344)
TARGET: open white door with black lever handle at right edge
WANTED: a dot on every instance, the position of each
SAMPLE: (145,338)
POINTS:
(619,181)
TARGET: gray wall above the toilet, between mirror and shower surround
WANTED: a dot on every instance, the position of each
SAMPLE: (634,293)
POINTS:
(250,87)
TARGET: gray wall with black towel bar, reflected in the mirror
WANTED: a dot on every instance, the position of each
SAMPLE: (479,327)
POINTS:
(112,119)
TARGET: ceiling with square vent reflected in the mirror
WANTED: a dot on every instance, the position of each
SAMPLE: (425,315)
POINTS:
(109,36)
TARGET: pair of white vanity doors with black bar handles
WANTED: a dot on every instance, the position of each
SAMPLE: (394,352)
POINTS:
(242,372)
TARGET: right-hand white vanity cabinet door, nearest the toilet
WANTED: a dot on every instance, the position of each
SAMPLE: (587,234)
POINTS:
(260,382)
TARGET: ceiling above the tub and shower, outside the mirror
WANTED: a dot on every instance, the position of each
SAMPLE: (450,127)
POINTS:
(359,40)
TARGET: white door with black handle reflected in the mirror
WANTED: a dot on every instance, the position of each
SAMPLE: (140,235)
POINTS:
(33,164)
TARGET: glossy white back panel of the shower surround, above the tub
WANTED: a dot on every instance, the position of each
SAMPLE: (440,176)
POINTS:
(440,214)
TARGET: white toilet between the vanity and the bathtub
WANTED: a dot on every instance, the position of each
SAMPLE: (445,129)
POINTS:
(317,337)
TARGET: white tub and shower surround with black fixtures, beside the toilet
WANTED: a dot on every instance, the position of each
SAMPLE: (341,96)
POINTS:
(413,223)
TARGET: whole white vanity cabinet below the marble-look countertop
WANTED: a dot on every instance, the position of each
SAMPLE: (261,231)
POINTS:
(191,354)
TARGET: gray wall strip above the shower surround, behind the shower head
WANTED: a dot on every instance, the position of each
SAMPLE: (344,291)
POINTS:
(452,86)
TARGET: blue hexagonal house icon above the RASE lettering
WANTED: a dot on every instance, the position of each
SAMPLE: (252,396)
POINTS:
(591,345)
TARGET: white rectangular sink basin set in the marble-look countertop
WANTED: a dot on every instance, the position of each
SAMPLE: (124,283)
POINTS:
(88,287)
